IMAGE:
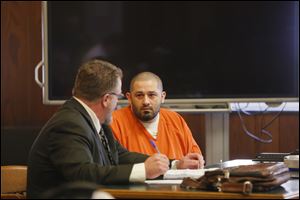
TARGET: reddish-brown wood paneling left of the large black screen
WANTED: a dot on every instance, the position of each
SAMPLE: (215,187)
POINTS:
(21,50)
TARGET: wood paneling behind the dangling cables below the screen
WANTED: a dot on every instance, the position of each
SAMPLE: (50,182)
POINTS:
(284,131)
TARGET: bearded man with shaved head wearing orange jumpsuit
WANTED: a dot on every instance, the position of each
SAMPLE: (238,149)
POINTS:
(145,127)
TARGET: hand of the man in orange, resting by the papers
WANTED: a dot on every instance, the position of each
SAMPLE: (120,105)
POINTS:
(191,161)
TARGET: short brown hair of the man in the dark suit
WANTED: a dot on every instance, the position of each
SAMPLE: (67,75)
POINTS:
(95,78)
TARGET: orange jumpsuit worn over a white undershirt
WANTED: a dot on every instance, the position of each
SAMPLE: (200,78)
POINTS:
(174,138)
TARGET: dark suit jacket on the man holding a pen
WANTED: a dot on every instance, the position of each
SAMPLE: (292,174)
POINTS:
(68,149)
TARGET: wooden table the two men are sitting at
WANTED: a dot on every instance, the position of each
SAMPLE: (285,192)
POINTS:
(287,190)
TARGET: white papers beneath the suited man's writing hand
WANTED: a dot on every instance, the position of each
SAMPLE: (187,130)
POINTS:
(183,173)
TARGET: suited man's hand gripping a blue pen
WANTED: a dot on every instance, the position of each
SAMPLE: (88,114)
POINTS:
(156,165)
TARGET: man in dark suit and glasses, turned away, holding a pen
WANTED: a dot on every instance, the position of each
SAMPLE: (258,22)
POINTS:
(76,144)
